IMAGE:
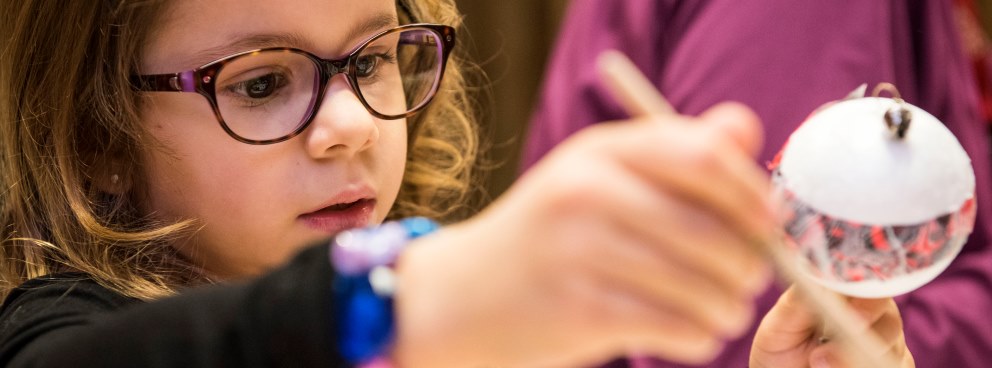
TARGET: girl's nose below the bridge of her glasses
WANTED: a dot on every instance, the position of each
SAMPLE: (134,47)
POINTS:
(342,126)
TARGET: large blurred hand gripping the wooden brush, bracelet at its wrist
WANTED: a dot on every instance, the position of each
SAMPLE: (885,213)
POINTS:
(629,237)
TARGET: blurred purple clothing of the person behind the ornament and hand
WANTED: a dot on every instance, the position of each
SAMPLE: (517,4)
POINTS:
(784,58)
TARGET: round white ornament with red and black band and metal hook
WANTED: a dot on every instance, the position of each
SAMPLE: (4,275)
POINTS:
(880,196)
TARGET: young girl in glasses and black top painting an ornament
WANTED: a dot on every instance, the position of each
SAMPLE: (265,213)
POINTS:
(153,146)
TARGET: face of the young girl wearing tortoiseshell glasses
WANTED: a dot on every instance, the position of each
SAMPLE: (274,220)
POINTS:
(259,204)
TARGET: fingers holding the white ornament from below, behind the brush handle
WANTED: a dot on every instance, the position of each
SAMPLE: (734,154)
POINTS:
(789,335)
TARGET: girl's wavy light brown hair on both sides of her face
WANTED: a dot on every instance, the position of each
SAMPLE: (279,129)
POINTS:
(67,109)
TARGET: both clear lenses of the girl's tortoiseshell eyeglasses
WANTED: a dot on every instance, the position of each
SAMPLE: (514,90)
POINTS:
(269,94)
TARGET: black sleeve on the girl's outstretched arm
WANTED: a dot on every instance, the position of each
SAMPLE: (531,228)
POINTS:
(280,320)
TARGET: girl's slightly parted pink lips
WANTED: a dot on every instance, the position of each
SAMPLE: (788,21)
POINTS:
(329,220)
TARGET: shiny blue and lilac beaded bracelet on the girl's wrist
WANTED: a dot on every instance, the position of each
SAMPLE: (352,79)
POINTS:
(365,284)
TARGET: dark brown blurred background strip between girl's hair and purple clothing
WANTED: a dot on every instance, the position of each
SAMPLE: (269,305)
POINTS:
(511,40)
